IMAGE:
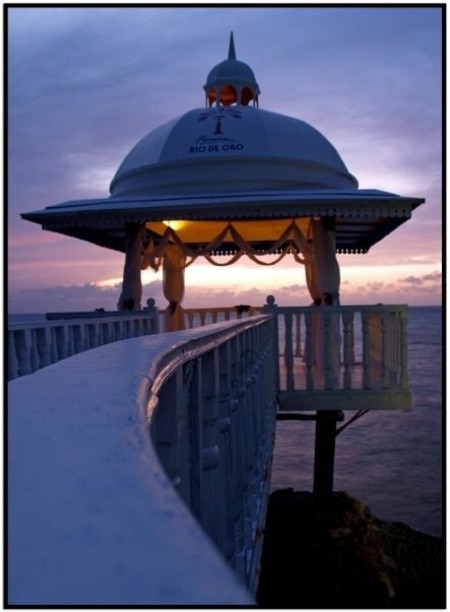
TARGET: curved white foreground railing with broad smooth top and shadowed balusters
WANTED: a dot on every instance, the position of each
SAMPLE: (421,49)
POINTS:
(198,404)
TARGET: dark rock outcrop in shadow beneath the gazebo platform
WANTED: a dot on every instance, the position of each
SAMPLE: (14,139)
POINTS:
(336,554)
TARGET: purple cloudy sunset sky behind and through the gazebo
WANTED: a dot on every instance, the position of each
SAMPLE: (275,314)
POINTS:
(85,84)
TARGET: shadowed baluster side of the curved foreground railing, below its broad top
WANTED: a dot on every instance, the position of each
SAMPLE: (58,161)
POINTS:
(215,430)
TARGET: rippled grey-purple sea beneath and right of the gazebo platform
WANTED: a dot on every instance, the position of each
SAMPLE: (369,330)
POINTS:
(391,461)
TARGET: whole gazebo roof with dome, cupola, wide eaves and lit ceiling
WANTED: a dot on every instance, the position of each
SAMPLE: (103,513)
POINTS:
(231,163)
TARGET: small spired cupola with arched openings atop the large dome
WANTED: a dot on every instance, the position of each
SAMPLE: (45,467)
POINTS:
(231,82)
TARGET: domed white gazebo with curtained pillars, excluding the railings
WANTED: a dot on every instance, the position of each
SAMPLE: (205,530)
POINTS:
(231,179)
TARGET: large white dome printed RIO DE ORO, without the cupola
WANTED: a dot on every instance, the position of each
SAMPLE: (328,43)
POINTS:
(209,150)
